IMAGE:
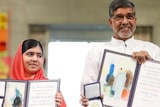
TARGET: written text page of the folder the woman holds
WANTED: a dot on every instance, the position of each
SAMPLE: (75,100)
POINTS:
(42,93)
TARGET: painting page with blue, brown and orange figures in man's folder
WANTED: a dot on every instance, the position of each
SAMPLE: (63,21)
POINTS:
(116,78)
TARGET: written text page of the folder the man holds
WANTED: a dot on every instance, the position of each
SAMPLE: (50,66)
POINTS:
(147,89)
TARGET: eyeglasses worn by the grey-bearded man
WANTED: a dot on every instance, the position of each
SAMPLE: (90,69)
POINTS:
(120,18)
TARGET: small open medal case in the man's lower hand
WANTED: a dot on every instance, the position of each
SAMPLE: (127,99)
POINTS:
(92,92)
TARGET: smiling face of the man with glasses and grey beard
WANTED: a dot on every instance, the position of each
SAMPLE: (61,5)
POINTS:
(123,23)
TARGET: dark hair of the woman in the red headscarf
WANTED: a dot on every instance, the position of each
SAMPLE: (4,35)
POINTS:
(30,43)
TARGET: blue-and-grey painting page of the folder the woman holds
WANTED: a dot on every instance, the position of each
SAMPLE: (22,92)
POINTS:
(15,94)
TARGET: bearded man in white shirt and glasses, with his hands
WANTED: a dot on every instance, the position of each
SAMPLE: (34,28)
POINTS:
(123,23)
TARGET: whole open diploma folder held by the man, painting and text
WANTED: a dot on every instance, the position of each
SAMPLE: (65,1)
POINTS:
(126,83)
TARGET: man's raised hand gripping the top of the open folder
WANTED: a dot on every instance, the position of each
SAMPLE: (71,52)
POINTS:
(141,56)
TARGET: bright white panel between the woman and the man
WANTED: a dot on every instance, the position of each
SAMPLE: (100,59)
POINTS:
(66,62)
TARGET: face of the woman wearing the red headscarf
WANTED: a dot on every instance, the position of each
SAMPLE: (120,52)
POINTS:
(33,60)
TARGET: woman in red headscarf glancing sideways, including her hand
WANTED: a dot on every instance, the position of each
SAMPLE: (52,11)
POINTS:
(28,65)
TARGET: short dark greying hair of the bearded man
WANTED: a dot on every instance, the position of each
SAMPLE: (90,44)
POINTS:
(120,4)
